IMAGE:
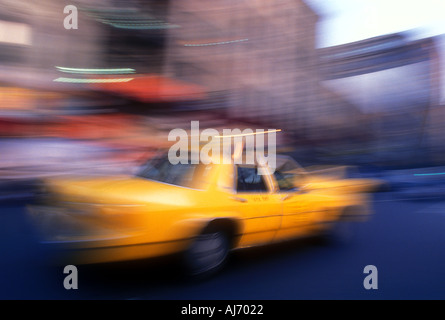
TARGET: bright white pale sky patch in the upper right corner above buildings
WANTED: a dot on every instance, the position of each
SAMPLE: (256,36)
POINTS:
(344,21)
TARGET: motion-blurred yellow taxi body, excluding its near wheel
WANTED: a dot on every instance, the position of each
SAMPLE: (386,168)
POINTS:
(104,219)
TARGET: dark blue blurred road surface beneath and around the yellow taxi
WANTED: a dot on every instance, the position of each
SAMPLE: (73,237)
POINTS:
(404,240)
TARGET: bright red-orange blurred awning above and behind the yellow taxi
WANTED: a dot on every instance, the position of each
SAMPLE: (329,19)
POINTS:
(153,88)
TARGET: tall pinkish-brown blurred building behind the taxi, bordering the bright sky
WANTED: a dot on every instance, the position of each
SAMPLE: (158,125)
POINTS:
(258,57)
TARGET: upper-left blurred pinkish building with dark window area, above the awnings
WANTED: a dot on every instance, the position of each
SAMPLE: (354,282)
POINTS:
(109,34)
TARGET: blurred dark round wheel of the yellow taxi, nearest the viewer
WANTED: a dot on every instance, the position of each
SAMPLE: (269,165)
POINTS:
(207,253)
